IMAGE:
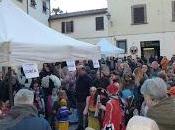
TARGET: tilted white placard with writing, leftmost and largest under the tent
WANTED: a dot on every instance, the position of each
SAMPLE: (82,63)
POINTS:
(30,70)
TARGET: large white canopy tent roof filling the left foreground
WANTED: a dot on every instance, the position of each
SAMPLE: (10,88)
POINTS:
(25,40)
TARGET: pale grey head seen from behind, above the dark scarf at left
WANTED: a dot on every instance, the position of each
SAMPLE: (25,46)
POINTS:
(24,96)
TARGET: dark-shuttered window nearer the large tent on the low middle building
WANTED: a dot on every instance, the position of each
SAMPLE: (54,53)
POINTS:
(67,27)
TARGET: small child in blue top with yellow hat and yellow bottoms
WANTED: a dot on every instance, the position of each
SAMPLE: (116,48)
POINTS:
(63,116)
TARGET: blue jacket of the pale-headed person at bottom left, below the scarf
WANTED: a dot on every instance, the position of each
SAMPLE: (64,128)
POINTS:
(32,123)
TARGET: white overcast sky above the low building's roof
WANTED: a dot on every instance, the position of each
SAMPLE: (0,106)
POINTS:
(78,5)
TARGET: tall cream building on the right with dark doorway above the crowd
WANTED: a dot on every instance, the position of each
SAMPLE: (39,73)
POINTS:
(147,25)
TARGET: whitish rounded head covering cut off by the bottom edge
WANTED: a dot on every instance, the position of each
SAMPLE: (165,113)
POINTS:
(141,123)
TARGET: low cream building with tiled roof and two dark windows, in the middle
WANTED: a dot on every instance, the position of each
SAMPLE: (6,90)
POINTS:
(89,26)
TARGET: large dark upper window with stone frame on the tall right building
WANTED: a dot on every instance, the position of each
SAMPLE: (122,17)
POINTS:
(139,14)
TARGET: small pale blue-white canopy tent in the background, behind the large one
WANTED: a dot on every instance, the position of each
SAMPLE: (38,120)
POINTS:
(108,49)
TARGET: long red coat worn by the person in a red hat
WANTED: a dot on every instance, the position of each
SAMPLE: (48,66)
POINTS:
(114,111)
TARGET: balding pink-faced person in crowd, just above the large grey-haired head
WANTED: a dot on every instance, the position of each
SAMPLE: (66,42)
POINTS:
(154,69)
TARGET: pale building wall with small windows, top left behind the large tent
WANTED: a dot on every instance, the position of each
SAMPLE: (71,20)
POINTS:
(38,9)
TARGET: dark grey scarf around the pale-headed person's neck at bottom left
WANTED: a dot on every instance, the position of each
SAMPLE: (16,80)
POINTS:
(16,115)
